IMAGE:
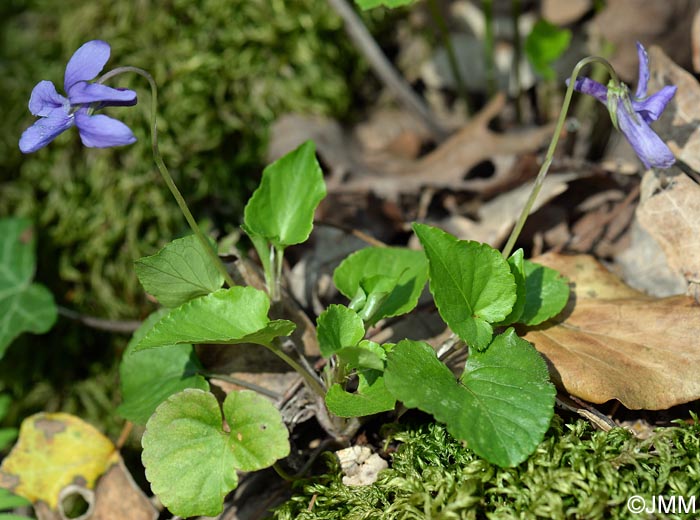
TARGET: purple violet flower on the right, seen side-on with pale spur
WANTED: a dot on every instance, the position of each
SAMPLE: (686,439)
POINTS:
(632,115)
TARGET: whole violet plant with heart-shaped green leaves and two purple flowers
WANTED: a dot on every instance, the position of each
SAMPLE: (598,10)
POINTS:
(501,404)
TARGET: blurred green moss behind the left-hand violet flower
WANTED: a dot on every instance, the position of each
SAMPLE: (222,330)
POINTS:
(226,69)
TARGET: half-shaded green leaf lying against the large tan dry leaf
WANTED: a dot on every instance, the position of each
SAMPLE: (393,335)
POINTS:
(547,293)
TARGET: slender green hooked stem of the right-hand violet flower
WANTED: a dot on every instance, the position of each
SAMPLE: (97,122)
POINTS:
(539,180)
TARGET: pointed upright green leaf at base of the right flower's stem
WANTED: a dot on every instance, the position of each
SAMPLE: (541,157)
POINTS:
(471,283)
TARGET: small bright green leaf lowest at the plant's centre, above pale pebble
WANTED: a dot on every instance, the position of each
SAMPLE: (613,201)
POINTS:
(371,397)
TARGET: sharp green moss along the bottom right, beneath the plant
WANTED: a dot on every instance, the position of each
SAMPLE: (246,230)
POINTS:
(575,473)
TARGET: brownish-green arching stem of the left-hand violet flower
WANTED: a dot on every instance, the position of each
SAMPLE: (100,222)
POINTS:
(165,173)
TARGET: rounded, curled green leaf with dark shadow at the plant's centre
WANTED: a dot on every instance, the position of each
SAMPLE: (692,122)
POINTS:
(369,269)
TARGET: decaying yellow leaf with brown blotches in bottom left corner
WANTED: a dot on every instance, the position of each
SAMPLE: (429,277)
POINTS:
(53,451)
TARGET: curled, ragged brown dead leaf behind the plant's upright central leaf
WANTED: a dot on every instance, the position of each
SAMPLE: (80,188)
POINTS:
(354,168)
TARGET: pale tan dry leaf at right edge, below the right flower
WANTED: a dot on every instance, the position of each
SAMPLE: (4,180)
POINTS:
(671,214)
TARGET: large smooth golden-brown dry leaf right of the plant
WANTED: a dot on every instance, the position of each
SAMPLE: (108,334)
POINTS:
(613,342)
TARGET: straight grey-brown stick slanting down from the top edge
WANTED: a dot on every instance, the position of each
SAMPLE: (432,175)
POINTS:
(383,68)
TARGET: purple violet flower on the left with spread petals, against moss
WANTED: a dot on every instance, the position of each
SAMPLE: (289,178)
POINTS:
(58,113)
